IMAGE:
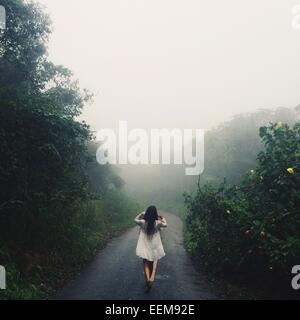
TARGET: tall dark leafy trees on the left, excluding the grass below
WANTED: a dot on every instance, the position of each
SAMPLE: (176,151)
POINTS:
(43,148)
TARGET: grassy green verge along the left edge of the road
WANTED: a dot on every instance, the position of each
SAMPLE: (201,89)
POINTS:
(95,223)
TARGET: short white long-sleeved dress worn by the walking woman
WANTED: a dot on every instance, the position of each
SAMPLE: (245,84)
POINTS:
(148,248)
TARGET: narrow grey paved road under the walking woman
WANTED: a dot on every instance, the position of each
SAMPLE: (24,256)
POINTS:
(116,273)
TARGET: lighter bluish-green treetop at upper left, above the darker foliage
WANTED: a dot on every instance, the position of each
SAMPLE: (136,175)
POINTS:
(27,78)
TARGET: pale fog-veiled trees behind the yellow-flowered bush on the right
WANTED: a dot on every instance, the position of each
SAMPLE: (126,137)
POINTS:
(232,147)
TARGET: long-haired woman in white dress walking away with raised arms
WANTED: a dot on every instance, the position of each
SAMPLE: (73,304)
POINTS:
(149,246)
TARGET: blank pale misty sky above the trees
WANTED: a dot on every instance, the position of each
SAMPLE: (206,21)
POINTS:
(178,63)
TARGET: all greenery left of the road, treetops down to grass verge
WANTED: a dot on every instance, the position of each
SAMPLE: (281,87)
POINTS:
(57,206)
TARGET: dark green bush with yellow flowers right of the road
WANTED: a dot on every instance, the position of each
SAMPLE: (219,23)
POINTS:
(246,228)
